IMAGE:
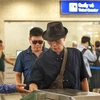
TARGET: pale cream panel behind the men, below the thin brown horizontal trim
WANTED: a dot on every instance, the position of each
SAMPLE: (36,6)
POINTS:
(17,33)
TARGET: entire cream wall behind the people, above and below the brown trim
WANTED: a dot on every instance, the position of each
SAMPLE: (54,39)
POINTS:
(17,17)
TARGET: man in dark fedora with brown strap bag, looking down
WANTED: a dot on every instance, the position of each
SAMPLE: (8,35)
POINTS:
(48,67)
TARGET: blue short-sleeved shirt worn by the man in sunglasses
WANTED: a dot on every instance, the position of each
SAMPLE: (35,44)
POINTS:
(24,62)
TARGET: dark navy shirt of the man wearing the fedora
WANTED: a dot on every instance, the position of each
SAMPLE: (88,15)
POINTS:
(47,67)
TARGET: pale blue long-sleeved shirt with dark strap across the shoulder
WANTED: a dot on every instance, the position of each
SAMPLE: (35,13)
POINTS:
(88,56)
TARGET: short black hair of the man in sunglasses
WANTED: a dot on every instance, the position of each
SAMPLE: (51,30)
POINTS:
(36,31)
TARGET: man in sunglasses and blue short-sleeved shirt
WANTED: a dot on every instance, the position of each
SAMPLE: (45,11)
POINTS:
(26,58)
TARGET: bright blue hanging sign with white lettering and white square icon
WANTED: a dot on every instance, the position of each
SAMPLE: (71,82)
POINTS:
(80,7)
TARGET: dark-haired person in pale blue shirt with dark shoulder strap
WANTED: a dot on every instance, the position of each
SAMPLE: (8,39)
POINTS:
(87,54)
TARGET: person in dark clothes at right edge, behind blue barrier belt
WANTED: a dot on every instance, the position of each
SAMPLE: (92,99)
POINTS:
(95,80)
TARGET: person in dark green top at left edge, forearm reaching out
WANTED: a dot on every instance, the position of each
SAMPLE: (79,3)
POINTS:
(3,59)
